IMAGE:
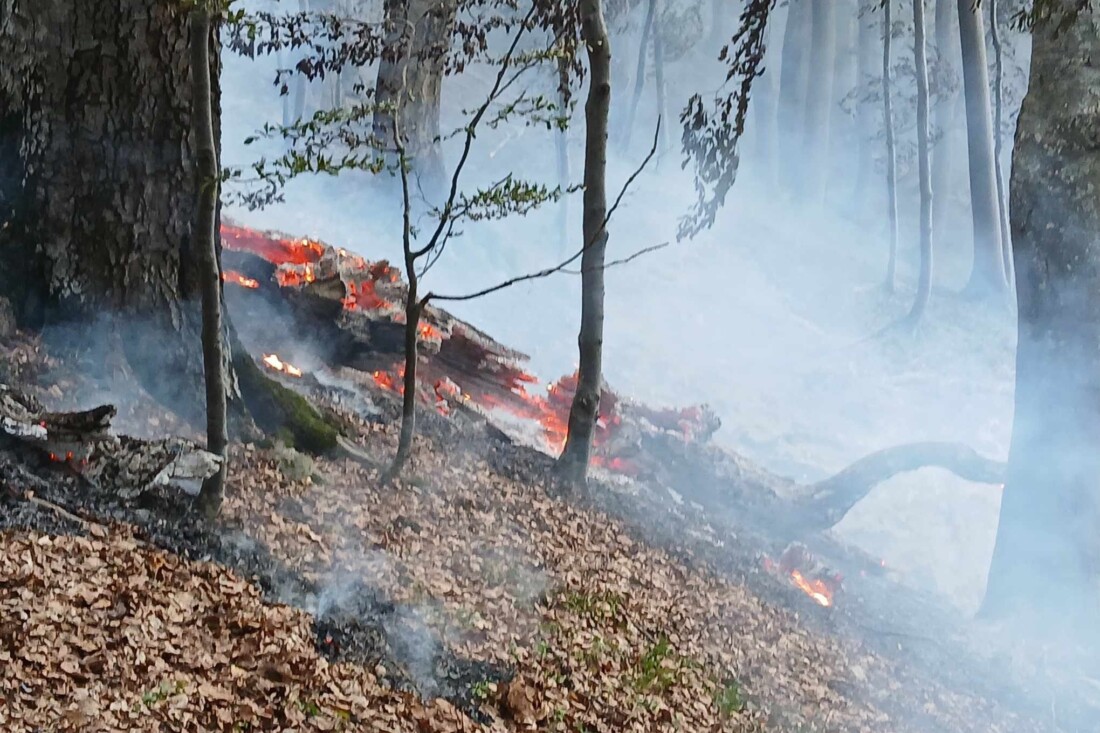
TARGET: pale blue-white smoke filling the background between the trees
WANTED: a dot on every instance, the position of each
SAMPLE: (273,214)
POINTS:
(765,316)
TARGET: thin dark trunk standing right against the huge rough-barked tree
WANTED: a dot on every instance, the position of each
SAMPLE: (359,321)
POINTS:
(205,242)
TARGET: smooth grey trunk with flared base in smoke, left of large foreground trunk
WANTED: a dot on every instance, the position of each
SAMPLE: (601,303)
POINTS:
(988,273)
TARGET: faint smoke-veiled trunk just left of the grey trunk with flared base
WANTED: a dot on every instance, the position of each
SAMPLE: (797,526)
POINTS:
(945,151)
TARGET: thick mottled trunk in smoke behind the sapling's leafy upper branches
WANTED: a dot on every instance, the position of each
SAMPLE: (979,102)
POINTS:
(411,80)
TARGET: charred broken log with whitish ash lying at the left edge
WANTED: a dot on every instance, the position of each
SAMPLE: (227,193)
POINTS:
(84,443)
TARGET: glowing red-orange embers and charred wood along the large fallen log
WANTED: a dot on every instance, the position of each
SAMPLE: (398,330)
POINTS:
(458,365)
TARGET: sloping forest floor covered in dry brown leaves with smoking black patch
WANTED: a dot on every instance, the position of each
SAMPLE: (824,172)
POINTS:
(470,596)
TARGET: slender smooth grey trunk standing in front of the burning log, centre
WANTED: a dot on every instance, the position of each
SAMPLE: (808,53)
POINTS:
(582,417)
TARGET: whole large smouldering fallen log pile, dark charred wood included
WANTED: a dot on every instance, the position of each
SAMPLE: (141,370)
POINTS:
(351,312)
